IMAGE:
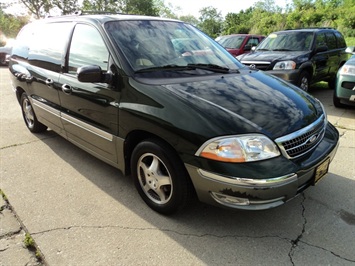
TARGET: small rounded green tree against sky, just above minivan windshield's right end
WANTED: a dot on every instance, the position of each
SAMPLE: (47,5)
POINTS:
(210,21)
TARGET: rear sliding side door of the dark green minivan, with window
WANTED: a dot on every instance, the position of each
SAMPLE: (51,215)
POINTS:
(45,58)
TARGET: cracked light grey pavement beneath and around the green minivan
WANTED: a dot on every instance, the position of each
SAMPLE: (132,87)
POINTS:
(81,211)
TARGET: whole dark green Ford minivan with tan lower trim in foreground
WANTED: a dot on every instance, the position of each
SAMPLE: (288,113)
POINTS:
(166,104)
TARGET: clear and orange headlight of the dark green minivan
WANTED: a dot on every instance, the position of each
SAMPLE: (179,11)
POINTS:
(239,149)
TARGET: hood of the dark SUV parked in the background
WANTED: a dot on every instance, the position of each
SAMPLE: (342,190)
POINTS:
(271,56)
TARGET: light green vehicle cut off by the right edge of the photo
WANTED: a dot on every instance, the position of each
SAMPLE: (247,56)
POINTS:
(344,93)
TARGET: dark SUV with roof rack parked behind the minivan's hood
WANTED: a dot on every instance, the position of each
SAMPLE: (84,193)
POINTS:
(302,56)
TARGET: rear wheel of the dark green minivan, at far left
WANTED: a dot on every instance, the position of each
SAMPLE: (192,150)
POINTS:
(29,115)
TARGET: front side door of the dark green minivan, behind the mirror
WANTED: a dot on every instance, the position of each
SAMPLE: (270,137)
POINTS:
(90,110)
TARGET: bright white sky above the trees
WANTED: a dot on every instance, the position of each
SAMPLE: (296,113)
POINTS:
(192,7)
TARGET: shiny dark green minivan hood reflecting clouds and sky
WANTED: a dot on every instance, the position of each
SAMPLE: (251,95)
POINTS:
(249,102)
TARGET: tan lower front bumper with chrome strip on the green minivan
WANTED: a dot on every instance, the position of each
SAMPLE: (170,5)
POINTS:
(245,193)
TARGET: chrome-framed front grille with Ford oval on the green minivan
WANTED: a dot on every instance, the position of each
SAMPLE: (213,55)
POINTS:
(302,141)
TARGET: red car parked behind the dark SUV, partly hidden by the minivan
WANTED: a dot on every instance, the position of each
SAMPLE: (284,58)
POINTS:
(238,44)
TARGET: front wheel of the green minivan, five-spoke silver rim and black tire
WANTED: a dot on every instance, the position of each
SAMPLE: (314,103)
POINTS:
(160,177)
